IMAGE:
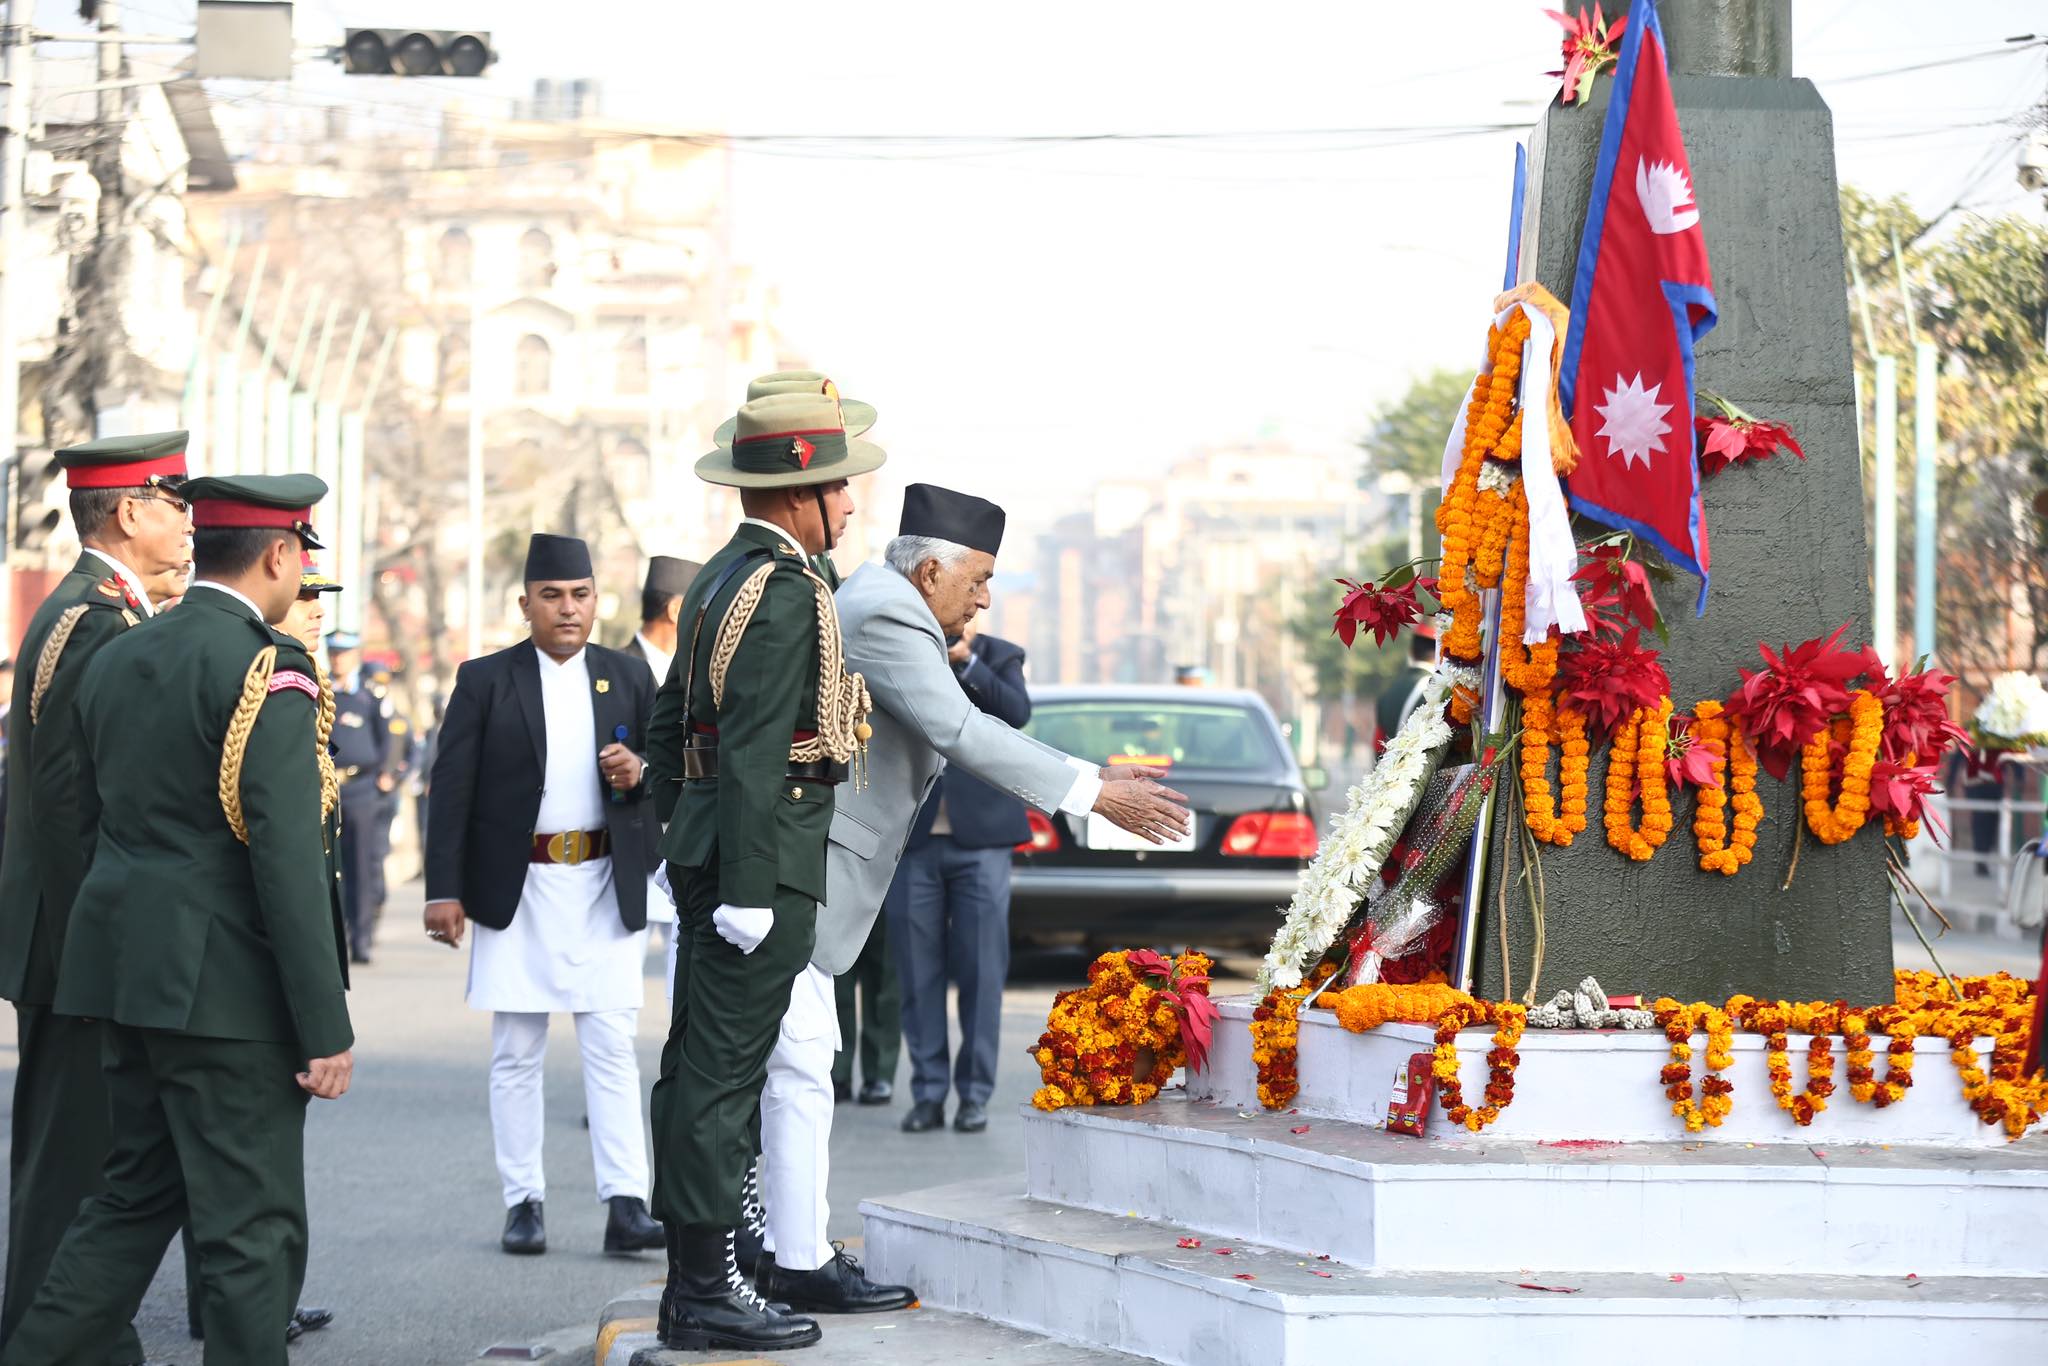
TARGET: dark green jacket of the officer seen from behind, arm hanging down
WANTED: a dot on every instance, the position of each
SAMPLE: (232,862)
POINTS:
(179,925)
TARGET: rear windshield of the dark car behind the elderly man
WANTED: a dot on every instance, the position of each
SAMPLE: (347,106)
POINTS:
(1179,734)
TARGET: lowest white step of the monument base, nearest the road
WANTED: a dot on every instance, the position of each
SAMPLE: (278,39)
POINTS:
(1132,1285)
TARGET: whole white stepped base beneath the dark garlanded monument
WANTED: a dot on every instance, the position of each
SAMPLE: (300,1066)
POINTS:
(1209,1232)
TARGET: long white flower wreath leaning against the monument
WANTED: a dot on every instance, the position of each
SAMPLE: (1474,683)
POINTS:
(1359,841)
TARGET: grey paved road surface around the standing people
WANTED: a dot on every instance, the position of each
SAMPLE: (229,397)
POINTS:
(404,1197)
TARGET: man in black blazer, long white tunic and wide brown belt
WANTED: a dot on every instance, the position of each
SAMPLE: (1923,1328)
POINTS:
(542,835)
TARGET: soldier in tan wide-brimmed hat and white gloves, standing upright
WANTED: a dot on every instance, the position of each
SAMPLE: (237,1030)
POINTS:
(751,734)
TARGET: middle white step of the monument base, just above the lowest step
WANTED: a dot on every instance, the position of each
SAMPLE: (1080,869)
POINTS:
(1603,1207)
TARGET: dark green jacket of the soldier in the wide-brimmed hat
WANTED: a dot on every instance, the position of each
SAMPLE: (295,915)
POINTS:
(753,826)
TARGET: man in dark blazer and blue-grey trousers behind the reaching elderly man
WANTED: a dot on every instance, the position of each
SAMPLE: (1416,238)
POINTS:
(949,908)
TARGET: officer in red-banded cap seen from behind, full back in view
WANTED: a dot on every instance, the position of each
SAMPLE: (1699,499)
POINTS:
(206,937)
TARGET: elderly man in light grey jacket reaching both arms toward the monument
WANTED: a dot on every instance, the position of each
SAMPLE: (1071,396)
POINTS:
(894,622)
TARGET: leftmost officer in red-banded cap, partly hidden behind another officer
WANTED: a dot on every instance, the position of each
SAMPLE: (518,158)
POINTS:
(134,531)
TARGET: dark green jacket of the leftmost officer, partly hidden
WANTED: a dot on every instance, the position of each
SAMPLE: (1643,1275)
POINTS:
(48,839)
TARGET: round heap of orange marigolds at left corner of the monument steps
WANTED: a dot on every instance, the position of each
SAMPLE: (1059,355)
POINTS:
(1095,1037)
